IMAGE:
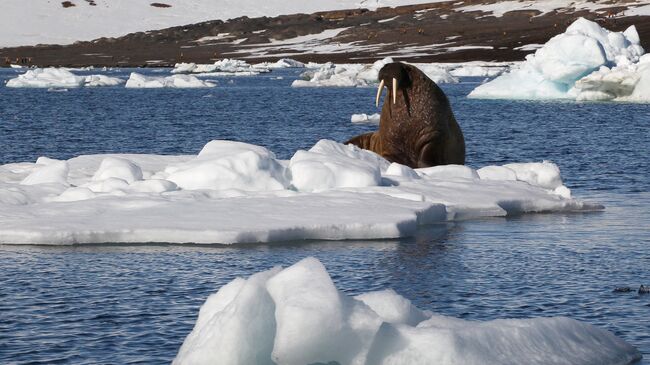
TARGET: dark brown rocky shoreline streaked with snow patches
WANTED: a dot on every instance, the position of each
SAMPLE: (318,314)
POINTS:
(434,32)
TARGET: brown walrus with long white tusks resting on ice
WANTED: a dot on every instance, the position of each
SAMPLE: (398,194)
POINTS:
(417,127)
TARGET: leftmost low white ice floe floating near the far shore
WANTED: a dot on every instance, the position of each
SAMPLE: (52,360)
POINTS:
(60,78)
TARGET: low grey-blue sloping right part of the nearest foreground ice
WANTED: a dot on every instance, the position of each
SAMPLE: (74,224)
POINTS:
(543,341)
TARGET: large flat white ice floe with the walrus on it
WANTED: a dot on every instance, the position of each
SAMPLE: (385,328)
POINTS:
(233,192)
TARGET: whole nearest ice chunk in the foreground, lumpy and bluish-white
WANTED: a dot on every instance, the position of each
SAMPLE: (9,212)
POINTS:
(298,316)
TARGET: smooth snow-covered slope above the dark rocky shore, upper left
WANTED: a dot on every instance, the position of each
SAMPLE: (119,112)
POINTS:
(40,21)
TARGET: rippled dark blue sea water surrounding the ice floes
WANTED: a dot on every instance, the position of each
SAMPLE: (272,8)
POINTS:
(128,304)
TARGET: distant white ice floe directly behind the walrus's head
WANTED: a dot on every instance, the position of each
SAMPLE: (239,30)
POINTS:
(359,75)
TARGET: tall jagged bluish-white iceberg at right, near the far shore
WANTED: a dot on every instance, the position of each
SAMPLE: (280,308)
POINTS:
(586,62)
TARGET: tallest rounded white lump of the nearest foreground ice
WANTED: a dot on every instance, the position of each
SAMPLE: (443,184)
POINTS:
(306,299)
